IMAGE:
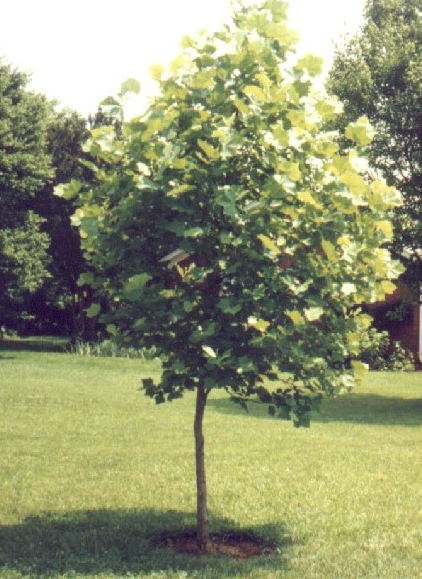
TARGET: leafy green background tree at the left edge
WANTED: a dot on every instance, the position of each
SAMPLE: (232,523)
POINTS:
(24,170)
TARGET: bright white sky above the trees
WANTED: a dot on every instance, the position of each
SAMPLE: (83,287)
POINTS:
(79,51)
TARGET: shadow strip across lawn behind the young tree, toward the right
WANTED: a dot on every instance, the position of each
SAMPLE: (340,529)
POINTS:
(350,408)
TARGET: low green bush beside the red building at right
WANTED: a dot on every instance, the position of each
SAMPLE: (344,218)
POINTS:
(377,351)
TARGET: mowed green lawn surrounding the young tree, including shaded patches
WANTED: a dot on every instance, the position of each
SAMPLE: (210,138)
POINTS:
(91,471)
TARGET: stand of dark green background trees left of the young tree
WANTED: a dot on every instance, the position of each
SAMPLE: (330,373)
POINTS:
(40,252)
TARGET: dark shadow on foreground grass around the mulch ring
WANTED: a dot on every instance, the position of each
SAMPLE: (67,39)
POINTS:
(120,542)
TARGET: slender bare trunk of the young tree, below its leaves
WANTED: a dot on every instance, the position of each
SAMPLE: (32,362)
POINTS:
(201,485)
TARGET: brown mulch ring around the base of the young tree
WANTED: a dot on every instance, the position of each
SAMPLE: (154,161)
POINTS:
(238,545)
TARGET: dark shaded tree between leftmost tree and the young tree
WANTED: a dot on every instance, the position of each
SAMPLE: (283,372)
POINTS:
(62,301)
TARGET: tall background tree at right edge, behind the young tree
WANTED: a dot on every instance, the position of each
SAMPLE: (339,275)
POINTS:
(377,73)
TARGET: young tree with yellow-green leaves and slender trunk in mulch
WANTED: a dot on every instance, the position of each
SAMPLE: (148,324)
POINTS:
(232,232)
